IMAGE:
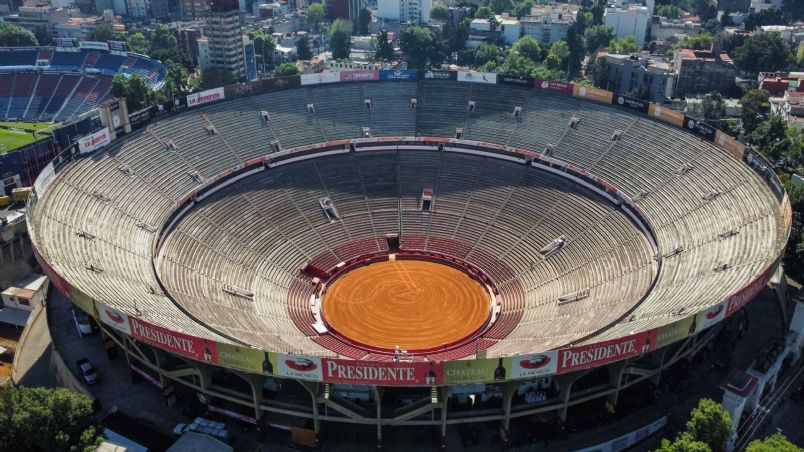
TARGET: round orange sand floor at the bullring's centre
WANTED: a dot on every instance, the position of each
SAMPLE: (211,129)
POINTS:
(415,304)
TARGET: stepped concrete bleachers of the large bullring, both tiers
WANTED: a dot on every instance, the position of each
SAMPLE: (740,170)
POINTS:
(495,214)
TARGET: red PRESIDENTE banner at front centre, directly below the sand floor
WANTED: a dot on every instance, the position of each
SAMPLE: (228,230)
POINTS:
(381,373)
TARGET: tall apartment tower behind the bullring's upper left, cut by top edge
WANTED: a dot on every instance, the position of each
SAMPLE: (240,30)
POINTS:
(225,38)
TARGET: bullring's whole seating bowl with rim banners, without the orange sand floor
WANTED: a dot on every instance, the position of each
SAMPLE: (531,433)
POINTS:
(671,226)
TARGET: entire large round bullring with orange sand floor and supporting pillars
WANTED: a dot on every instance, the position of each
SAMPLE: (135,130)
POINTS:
(407,248)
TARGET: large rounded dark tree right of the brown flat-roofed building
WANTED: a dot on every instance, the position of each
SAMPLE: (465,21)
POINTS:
(765,52)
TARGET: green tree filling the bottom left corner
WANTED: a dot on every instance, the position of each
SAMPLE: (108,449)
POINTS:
(38,419)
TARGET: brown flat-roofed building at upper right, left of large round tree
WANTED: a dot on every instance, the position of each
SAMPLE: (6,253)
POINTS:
(702,71)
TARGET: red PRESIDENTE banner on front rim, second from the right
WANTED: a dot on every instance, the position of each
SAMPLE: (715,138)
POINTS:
(593,355)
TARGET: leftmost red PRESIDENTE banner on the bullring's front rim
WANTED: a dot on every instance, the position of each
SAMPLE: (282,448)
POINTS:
(180,343)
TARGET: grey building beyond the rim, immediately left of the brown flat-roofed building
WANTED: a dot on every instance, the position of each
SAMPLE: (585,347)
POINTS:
(628,73)
